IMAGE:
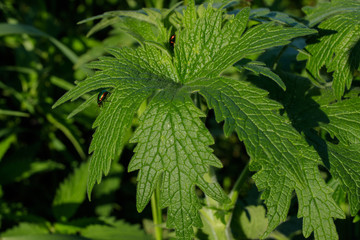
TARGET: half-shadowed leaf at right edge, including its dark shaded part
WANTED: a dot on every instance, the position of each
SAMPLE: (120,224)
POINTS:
(308,110)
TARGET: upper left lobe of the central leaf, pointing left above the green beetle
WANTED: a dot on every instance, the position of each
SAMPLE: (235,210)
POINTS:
(144,64)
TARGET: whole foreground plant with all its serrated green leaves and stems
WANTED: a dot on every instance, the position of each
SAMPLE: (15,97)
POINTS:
(286,139)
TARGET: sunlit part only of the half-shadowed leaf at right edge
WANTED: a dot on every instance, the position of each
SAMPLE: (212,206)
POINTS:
(344,158)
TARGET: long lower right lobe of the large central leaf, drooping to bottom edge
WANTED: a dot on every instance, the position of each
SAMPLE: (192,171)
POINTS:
(283,160)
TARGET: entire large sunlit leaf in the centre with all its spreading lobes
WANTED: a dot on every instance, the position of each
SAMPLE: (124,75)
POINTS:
(204,48)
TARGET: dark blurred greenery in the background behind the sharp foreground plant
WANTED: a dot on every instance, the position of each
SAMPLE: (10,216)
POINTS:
(43,154)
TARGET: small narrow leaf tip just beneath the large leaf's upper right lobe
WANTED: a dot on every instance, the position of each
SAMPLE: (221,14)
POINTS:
(260,68)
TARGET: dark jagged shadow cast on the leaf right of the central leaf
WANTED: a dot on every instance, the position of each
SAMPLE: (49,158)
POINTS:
(299,106)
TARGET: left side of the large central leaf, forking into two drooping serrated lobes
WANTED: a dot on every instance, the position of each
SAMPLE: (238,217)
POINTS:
(133,76)
